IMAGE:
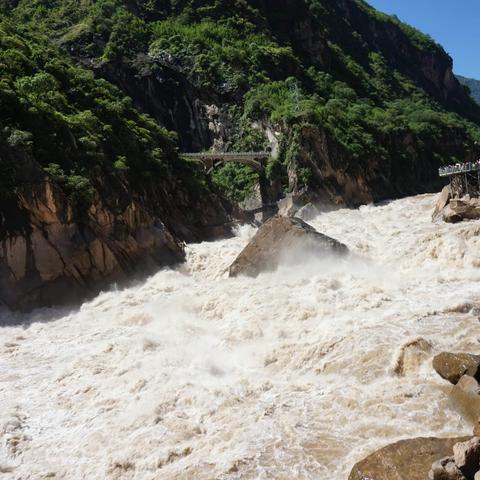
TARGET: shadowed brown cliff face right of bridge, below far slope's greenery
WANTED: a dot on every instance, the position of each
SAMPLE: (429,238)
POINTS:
(408,168)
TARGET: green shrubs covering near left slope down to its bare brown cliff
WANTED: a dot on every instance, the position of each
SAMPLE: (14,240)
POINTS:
(81,132)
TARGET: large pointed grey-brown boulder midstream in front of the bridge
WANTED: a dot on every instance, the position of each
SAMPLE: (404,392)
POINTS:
(281,239)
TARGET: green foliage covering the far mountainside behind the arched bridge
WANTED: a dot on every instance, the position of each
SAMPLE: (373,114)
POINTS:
(362,80)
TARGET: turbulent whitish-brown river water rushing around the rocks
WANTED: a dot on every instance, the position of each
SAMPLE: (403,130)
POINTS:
(296,374)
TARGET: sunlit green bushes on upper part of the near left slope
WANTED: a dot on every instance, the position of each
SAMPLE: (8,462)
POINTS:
(78,128)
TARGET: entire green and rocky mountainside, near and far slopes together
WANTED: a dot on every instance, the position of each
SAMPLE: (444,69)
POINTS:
(355,105)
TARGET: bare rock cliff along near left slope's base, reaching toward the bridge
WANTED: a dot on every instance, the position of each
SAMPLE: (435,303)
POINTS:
(51,255)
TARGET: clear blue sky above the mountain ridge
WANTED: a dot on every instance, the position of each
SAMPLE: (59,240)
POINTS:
(455,24)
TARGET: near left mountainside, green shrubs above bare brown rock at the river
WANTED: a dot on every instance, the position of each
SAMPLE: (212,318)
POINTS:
(91,190)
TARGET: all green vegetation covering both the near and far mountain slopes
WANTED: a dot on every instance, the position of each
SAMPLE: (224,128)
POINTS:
(360,95)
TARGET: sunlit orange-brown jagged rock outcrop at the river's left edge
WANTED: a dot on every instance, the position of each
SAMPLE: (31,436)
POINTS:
(56,259)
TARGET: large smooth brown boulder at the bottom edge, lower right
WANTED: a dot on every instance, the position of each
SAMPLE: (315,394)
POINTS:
(405,460)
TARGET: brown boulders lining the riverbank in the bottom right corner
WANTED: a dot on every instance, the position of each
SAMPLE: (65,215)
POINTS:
(440,459)
